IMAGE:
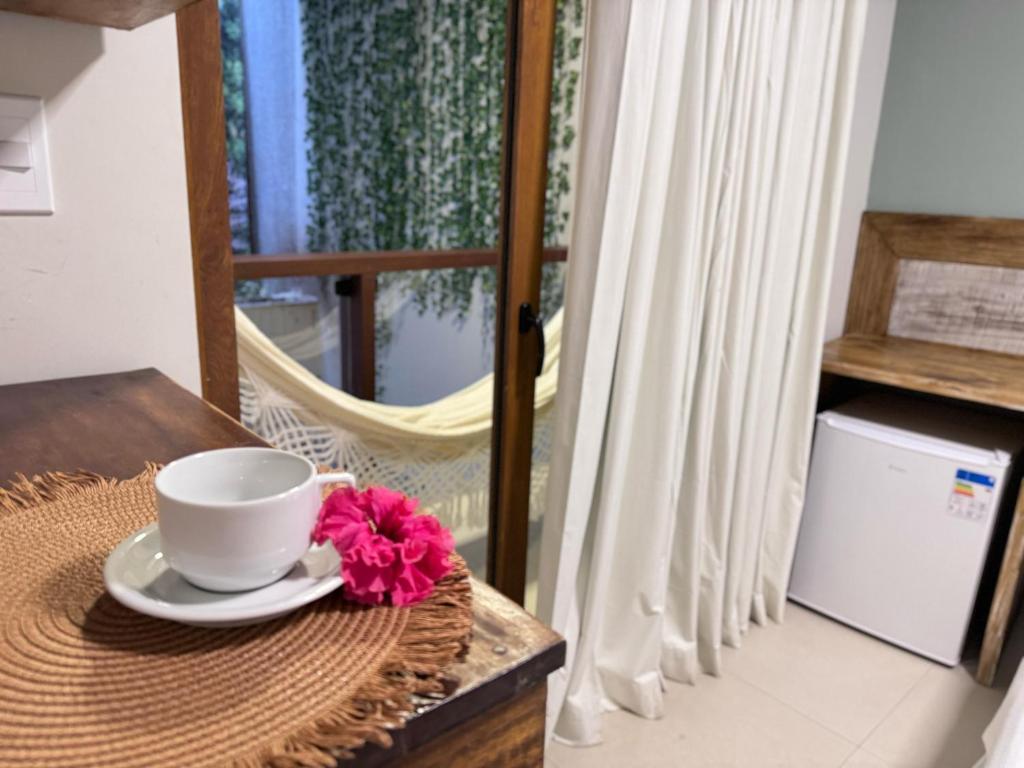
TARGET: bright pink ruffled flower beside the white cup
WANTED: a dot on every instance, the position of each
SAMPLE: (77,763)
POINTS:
(387,549)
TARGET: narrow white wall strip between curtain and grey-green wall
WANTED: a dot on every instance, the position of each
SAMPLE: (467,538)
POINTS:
(868,107)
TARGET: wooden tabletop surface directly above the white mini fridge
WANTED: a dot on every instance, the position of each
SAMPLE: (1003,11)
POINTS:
(974,375)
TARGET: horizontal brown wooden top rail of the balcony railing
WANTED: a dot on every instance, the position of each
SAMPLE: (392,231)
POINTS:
(365,263)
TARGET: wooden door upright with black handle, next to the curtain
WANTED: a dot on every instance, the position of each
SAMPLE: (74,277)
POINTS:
(530,47)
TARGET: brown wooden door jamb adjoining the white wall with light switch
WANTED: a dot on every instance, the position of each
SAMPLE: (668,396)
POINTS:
(206,166)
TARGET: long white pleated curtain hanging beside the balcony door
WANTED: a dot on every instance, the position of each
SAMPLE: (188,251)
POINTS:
(714,136)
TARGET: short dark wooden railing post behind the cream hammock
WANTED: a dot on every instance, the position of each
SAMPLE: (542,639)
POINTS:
(359,360)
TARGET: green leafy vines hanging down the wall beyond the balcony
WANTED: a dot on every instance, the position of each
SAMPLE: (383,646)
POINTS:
(405,107)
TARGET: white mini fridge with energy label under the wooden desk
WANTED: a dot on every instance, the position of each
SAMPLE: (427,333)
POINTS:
(902,501)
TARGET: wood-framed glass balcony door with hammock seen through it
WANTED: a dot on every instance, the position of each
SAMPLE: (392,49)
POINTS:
(376,156)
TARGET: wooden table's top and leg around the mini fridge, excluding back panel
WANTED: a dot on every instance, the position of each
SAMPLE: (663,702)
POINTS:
(977,376)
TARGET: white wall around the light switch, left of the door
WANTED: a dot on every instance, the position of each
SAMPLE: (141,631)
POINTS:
(105,284)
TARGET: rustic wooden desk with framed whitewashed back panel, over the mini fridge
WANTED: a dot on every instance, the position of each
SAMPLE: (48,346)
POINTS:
(937,308)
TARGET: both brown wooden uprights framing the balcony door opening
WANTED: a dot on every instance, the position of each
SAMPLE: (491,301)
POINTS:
(530,51)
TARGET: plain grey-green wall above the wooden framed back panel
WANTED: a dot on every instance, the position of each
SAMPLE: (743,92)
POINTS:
(952,138)
